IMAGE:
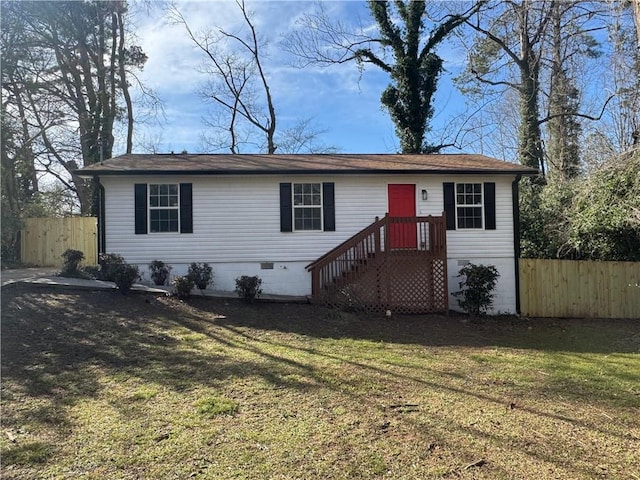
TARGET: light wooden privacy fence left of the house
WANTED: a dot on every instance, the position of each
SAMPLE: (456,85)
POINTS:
(43,240)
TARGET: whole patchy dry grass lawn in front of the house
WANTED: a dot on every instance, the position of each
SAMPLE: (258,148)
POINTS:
(96,385)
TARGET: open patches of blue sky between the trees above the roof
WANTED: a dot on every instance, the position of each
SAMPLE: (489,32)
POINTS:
(338,99)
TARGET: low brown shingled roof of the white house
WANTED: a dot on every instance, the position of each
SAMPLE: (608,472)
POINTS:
(227,164)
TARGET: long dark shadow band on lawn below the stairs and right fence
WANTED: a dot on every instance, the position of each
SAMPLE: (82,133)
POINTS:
(434,330)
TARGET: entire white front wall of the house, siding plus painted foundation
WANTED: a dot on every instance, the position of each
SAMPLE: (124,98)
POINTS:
(236,226)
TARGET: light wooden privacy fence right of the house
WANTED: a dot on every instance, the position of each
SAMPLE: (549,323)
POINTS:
(572,288)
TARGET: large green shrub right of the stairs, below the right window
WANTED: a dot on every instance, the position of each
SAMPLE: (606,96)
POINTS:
(476,288)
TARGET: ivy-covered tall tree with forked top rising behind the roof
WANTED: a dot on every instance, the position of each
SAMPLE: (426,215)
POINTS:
(414,66)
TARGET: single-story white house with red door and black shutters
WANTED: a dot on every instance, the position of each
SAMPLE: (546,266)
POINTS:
(281,216)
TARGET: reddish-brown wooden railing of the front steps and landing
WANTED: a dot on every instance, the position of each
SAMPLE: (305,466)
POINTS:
(423,236)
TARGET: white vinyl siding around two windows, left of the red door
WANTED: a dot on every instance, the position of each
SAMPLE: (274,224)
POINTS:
(238,219)
